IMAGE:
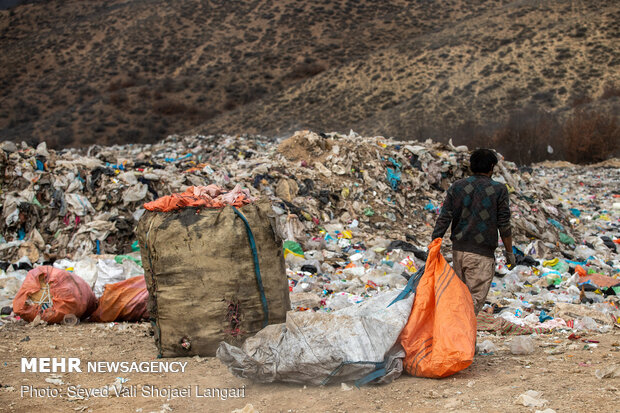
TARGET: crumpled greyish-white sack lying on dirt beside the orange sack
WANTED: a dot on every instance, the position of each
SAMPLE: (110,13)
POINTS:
(318,348)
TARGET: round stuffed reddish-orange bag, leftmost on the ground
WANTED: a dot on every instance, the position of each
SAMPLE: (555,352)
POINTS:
(53,293)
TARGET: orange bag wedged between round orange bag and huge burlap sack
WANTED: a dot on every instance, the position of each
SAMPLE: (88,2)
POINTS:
(123,301)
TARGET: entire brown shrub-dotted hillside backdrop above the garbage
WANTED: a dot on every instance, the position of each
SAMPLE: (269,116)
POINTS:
(82,72)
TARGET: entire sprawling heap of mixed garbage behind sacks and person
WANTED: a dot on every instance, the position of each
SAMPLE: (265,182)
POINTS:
(356,213)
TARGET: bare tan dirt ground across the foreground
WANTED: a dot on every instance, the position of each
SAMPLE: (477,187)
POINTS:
(562,370)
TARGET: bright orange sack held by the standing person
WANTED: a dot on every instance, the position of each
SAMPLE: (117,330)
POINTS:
(440,335)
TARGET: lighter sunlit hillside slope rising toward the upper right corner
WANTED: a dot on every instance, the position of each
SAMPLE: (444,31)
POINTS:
(555,57)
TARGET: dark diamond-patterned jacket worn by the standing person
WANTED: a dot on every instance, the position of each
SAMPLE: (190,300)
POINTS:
(477,207)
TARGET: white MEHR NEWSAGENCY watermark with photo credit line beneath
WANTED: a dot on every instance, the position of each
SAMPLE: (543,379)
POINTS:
(120,388)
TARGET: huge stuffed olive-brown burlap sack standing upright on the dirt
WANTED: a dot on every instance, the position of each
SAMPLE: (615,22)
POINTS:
(200,273)
